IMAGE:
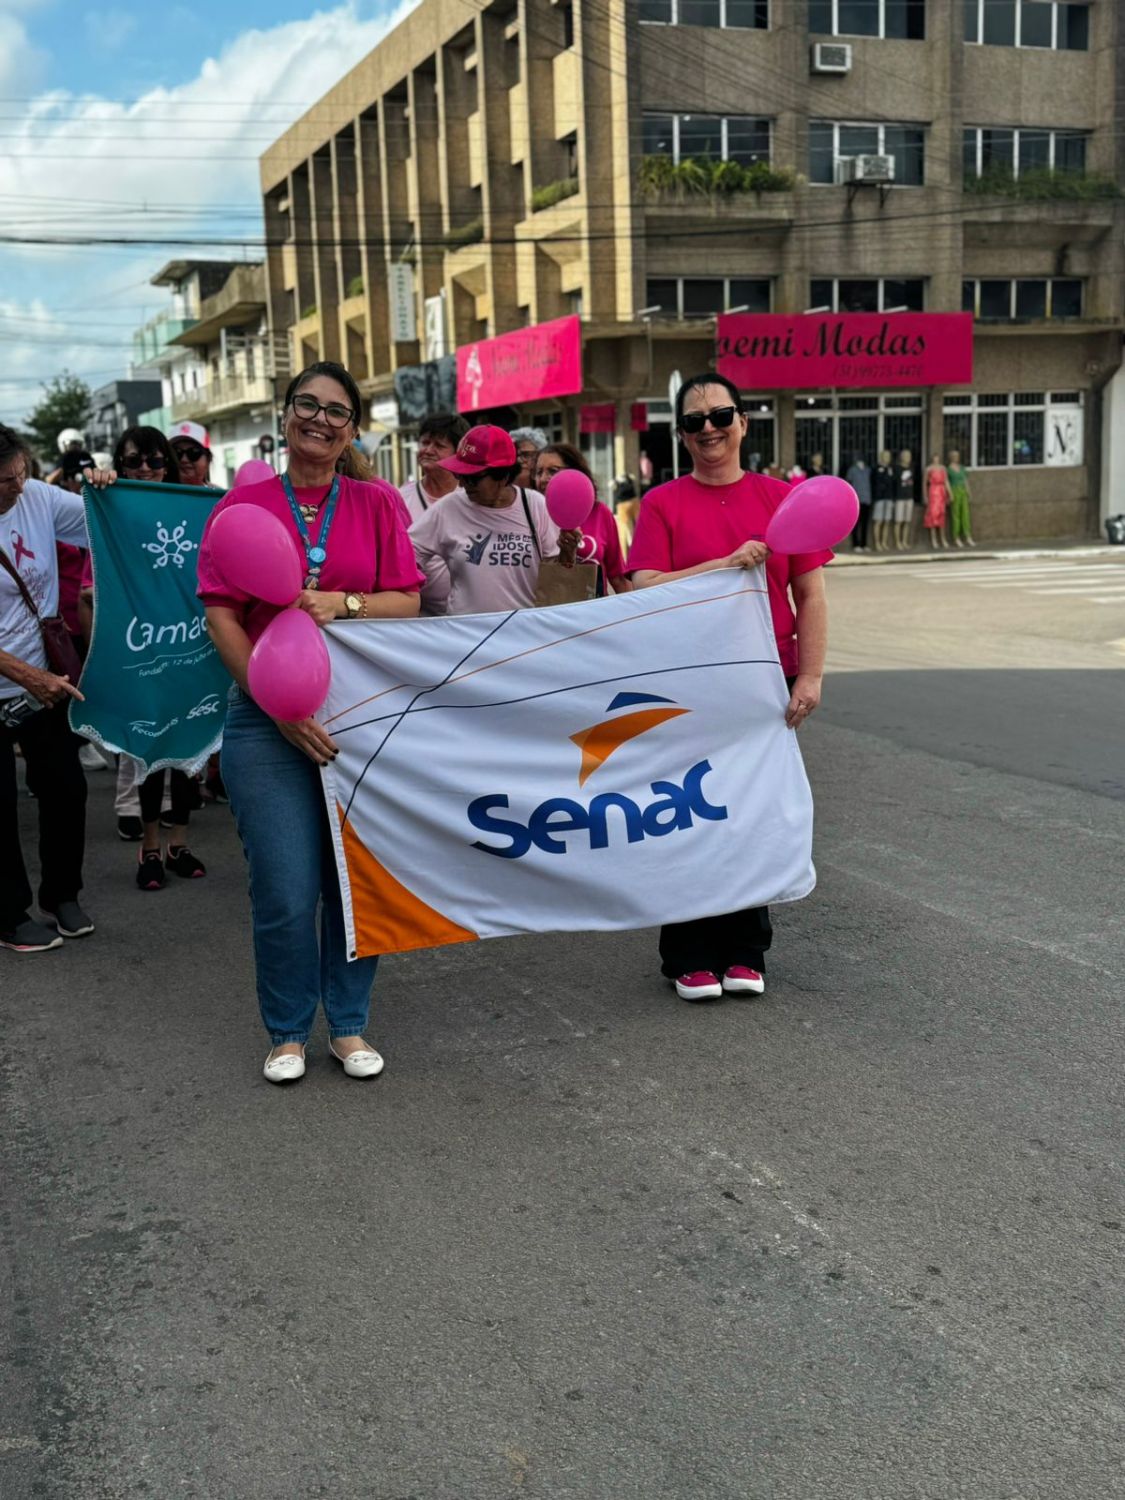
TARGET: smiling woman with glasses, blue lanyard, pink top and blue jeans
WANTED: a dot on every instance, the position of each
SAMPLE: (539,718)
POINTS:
(361,565)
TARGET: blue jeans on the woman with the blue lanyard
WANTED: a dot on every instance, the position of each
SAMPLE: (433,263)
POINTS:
(280,809)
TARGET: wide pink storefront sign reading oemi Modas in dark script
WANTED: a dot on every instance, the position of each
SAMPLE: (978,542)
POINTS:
(812,352)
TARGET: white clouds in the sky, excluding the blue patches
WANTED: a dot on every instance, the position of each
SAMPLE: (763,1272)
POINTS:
(179,161)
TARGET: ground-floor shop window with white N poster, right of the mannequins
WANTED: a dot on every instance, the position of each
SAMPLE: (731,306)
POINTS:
(1016,431)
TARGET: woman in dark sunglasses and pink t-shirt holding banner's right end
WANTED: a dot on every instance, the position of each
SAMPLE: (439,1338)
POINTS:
(716,518)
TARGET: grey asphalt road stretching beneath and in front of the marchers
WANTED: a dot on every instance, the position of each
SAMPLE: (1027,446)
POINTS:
(860,1240)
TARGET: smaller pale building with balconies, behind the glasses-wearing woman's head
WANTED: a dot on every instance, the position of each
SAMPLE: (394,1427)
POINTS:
(215,358)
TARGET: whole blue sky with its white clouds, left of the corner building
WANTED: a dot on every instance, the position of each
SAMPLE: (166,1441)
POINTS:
(130,121)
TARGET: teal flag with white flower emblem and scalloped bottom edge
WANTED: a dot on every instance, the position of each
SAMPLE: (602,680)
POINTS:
(154,683)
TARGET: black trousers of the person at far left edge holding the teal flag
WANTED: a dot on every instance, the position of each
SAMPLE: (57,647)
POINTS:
(56,778)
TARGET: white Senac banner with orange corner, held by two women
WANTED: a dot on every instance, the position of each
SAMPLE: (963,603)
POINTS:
(601,766)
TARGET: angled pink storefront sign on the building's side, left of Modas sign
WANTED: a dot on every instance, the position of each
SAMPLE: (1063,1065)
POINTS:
(521,367)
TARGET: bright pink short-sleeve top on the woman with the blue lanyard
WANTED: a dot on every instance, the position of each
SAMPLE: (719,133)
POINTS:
(368,548)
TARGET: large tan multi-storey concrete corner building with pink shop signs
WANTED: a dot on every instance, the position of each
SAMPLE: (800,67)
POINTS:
(539,208)
